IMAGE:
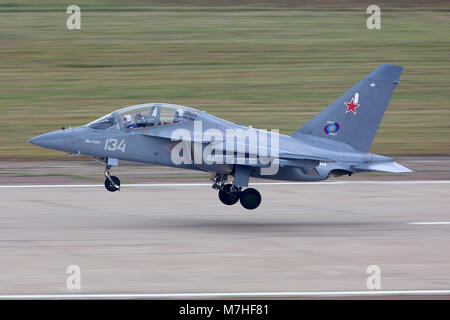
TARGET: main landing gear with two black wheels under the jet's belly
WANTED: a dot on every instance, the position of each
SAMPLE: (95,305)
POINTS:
(229,193)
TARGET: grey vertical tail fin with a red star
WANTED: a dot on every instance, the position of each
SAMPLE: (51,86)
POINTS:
(355,116)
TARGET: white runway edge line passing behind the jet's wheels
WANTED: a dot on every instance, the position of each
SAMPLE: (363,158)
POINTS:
(209,184)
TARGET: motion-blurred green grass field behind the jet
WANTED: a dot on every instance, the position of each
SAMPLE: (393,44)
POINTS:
(271,67)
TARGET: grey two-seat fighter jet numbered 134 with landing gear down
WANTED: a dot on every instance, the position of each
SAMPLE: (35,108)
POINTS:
(333,143)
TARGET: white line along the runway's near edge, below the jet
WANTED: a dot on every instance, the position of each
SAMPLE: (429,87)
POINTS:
(228,295)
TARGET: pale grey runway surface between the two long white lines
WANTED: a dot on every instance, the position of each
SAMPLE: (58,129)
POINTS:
(169,238)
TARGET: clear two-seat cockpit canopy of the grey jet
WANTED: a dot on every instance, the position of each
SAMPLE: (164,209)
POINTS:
(145,115)
